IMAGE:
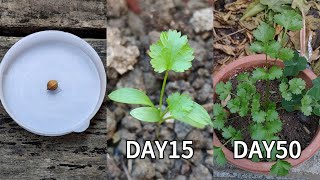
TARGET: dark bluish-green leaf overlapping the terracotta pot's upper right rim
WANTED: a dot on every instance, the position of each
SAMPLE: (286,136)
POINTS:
(295,65)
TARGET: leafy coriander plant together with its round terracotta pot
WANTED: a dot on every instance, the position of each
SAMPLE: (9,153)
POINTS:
(271,96)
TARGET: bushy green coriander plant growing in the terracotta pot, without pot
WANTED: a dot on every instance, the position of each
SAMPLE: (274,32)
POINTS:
(245,101)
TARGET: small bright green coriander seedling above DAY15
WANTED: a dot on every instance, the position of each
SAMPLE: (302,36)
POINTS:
(171,52)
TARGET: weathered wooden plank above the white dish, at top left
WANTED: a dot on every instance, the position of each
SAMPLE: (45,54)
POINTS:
(86,17)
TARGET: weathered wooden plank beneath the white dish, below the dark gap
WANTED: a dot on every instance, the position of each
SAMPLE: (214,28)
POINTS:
(24,155)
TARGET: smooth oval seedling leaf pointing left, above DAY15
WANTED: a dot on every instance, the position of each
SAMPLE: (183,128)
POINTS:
(130,96)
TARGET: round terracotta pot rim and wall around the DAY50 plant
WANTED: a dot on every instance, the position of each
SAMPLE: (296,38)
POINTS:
(250,62)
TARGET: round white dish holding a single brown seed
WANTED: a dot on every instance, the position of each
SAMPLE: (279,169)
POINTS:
(32,62)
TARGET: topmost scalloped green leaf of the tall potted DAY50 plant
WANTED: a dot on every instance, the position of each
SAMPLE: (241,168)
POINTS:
(289,19)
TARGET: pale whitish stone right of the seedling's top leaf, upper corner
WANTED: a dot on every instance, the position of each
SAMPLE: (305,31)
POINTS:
(202,20)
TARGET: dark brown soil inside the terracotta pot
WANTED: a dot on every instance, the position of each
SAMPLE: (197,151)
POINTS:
(295,126)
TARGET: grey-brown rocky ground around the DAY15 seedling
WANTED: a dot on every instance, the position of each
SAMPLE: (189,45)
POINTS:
(128,65)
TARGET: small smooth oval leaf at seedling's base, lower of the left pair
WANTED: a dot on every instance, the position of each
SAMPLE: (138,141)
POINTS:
(147,114)
